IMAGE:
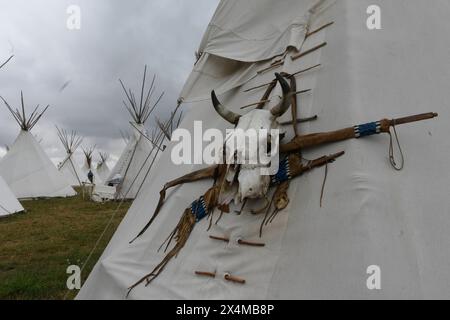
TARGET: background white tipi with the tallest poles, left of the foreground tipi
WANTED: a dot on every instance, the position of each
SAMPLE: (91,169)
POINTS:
(133,166)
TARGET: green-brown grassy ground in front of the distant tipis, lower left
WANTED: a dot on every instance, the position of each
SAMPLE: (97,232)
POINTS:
(37,247)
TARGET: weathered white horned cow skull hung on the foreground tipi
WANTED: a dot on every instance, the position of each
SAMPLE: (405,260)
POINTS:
(253,184)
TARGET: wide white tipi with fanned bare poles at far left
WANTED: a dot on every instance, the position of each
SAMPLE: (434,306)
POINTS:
(26,168)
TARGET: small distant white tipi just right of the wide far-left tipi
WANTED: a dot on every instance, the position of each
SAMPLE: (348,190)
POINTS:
(68,167)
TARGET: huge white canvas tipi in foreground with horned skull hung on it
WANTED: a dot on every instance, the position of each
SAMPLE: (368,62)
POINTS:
(373,219)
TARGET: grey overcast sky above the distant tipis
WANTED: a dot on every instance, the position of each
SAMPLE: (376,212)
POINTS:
(116,40)
